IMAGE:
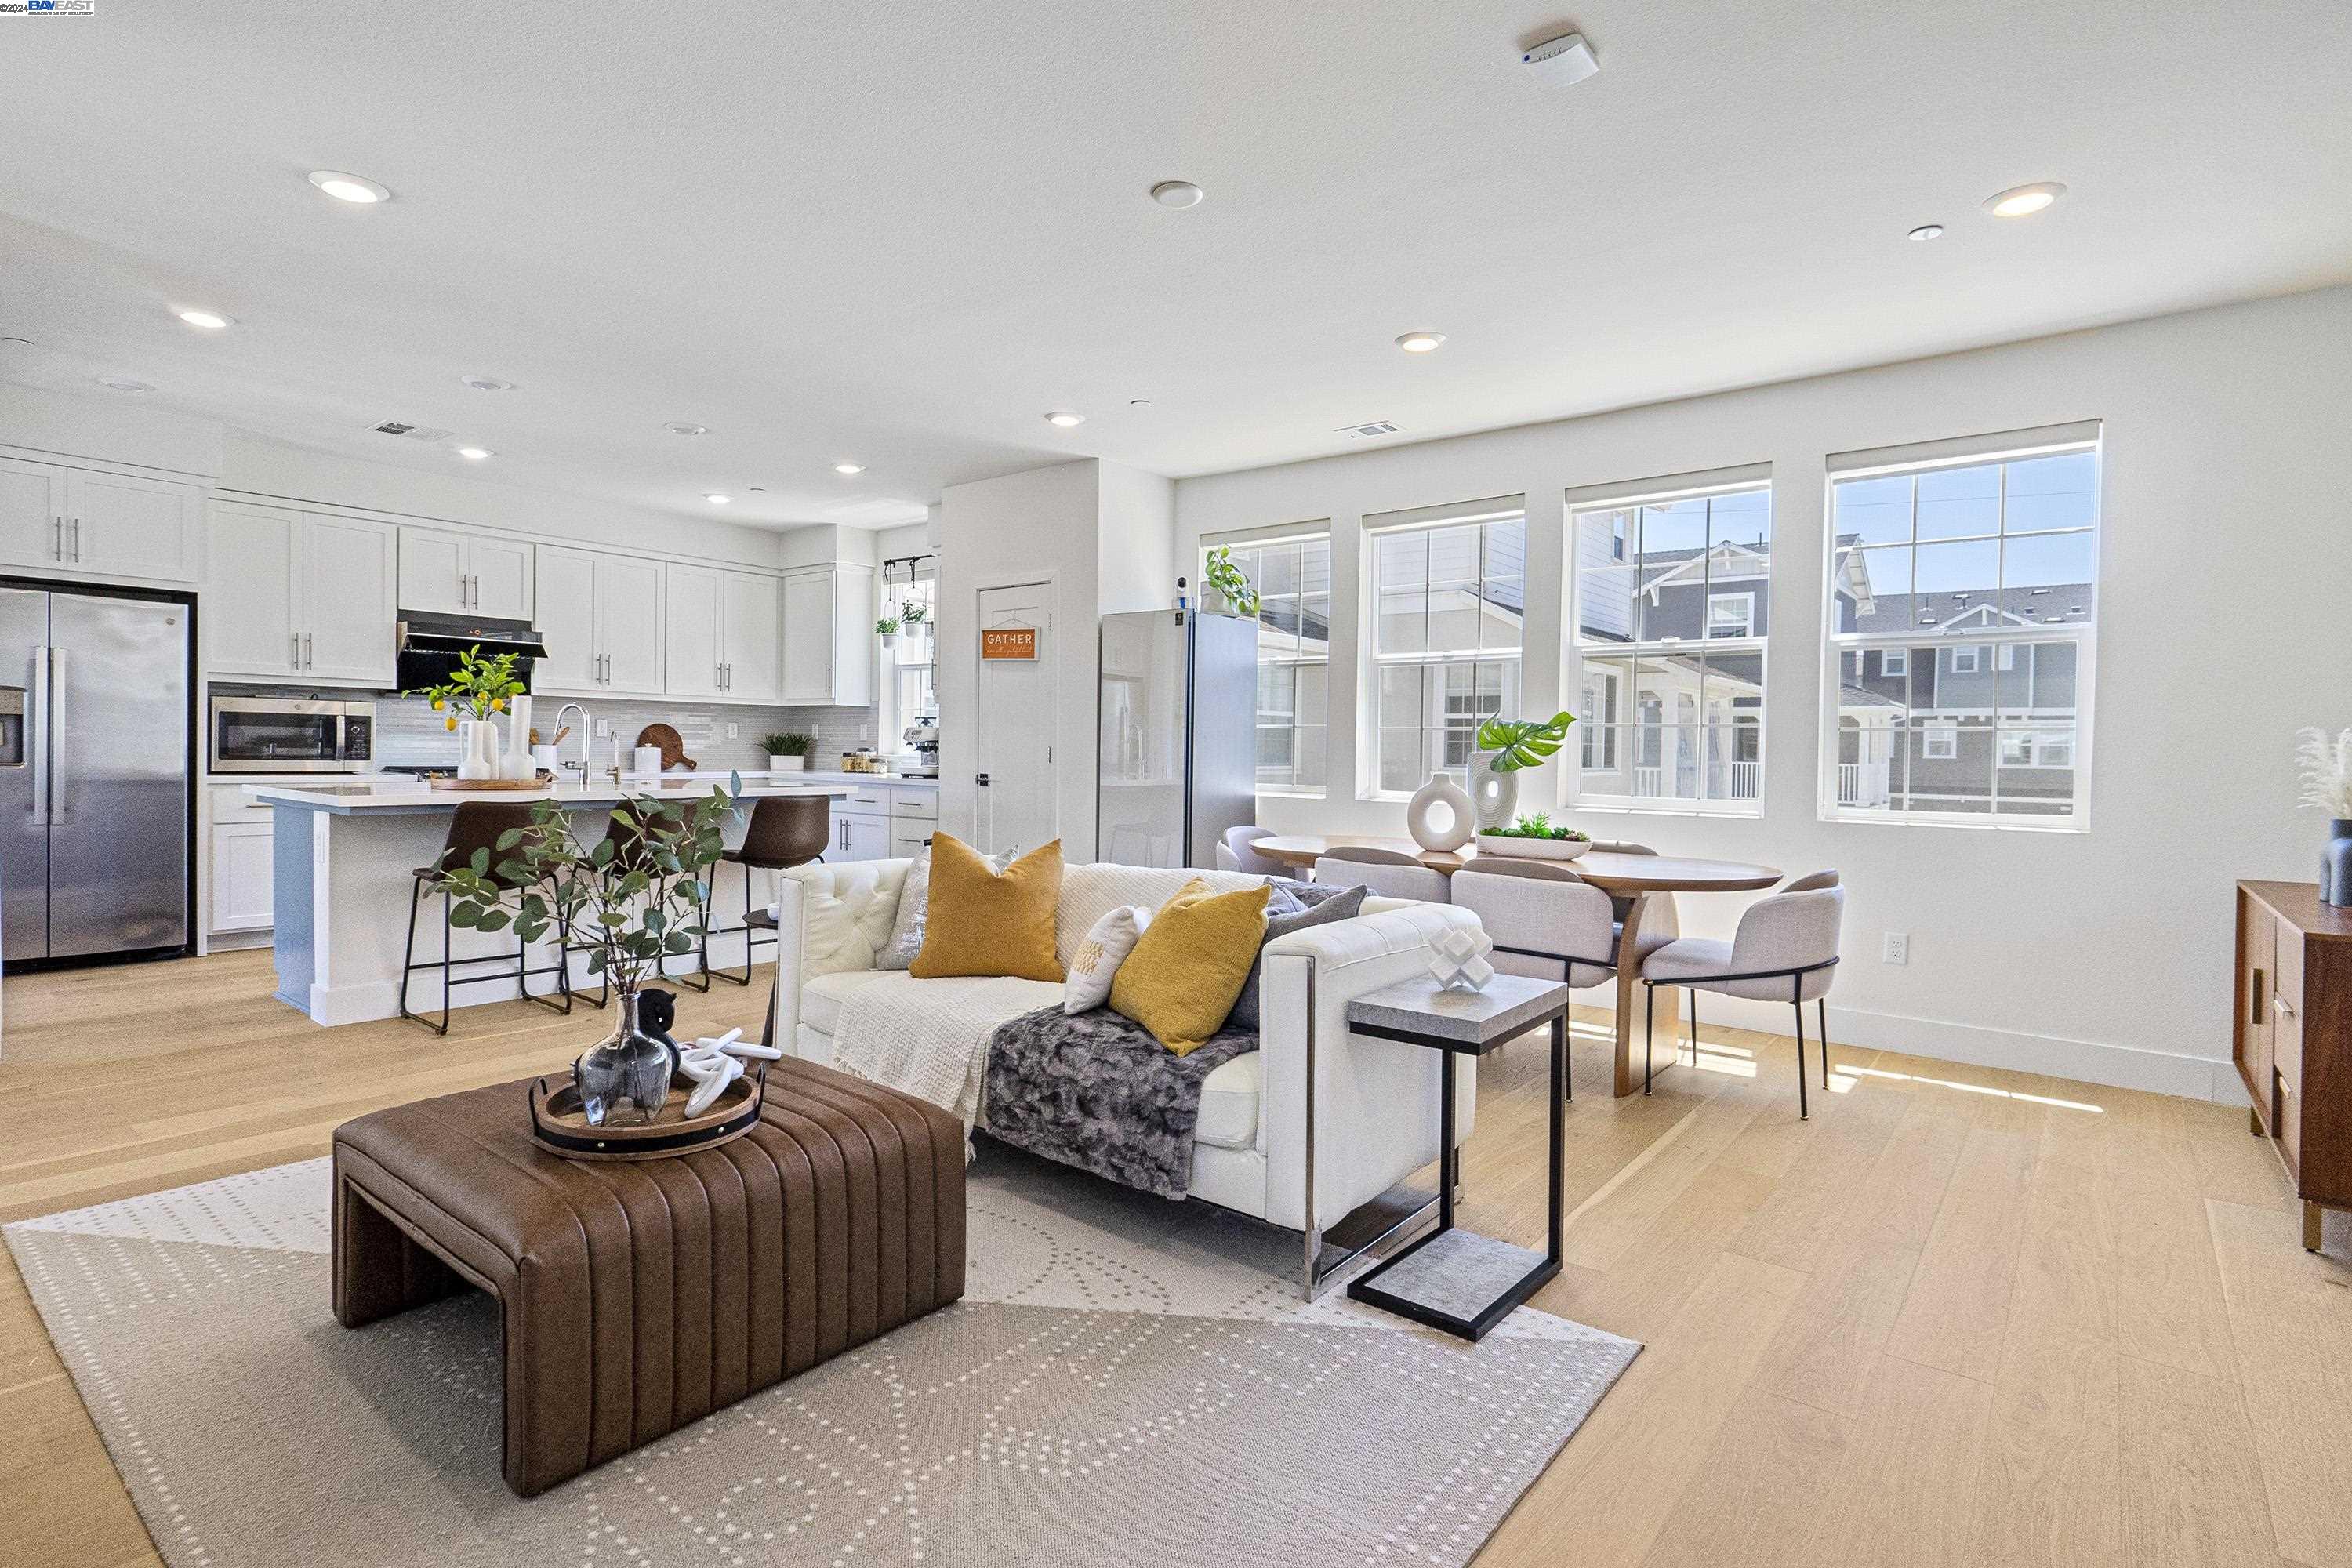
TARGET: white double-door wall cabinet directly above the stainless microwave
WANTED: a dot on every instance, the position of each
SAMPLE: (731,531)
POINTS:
(300,596)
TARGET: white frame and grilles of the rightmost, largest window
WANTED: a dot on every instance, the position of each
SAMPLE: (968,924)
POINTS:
(1967,453)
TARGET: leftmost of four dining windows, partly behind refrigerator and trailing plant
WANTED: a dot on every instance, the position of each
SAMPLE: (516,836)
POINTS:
(1292,577)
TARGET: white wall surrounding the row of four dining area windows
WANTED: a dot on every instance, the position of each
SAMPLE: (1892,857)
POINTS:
(2226,584)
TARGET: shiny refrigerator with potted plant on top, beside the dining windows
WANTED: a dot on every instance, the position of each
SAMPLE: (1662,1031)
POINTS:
(1177,737)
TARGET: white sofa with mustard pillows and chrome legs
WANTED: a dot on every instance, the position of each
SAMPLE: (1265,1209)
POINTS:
(1267,1146)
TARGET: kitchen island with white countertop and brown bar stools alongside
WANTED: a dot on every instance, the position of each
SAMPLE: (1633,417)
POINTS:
(345,878)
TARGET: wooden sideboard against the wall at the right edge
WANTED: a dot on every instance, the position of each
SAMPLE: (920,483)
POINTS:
(2294,1038)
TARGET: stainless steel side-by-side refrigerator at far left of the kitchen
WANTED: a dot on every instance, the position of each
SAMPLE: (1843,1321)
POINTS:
(95,793)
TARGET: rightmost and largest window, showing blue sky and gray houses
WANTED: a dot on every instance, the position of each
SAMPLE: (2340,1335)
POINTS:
(1963,612)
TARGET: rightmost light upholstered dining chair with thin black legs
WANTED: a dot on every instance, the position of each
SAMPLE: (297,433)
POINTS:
(1784,949)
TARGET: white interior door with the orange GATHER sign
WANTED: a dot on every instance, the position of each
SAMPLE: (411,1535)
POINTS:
(1015,800)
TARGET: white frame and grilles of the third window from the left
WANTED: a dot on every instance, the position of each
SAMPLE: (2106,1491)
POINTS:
(1633,497)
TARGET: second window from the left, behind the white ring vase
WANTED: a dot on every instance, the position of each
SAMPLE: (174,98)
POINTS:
(1448,594)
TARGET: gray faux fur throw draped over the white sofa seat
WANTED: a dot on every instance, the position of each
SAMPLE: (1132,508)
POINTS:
(1097,1092)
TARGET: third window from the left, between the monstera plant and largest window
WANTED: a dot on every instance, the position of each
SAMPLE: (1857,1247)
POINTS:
(1671,601)
